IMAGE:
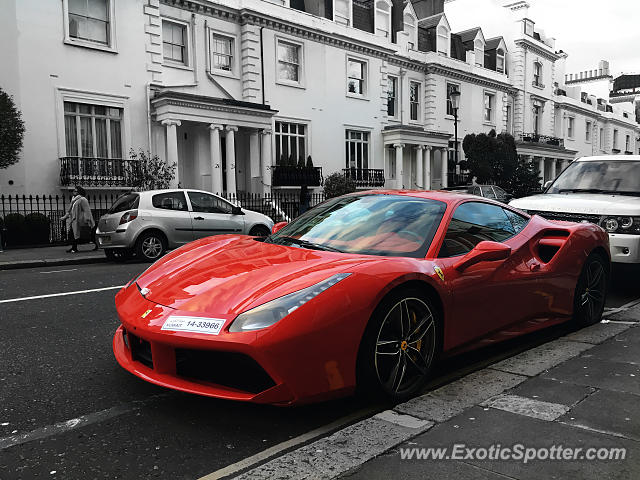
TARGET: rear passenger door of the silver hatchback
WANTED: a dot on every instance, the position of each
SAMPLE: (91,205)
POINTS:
(171,213)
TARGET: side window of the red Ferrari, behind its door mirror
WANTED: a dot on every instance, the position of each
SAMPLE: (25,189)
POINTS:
(472,223)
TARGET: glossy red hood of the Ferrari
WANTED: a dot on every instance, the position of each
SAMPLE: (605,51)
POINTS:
(229,274)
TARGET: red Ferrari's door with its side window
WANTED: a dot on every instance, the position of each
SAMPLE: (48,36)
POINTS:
(488,296)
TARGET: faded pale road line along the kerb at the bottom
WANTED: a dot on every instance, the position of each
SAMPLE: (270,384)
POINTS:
(289,444)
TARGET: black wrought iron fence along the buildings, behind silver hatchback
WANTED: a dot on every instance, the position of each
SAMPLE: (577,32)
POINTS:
(29,220)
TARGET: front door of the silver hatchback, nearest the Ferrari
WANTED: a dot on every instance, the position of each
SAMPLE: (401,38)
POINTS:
(212,215)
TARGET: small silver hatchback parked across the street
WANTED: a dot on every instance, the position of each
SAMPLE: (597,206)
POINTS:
(148,223)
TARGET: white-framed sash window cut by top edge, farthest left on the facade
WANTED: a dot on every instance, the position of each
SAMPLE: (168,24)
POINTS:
(90,21)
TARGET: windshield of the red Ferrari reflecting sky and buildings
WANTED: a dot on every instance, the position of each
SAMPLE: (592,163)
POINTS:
(391,225)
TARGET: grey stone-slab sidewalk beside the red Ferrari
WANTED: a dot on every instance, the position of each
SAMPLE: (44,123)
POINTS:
(579,391)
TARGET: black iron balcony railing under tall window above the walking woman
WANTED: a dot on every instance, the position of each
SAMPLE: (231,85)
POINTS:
(99,172)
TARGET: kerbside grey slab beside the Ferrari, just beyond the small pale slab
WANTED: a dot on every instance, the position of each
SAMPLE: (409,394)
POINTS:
(537,360)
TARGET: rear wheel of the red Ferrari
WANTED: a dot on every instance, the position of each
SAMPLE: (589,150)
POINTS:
(591,291)
